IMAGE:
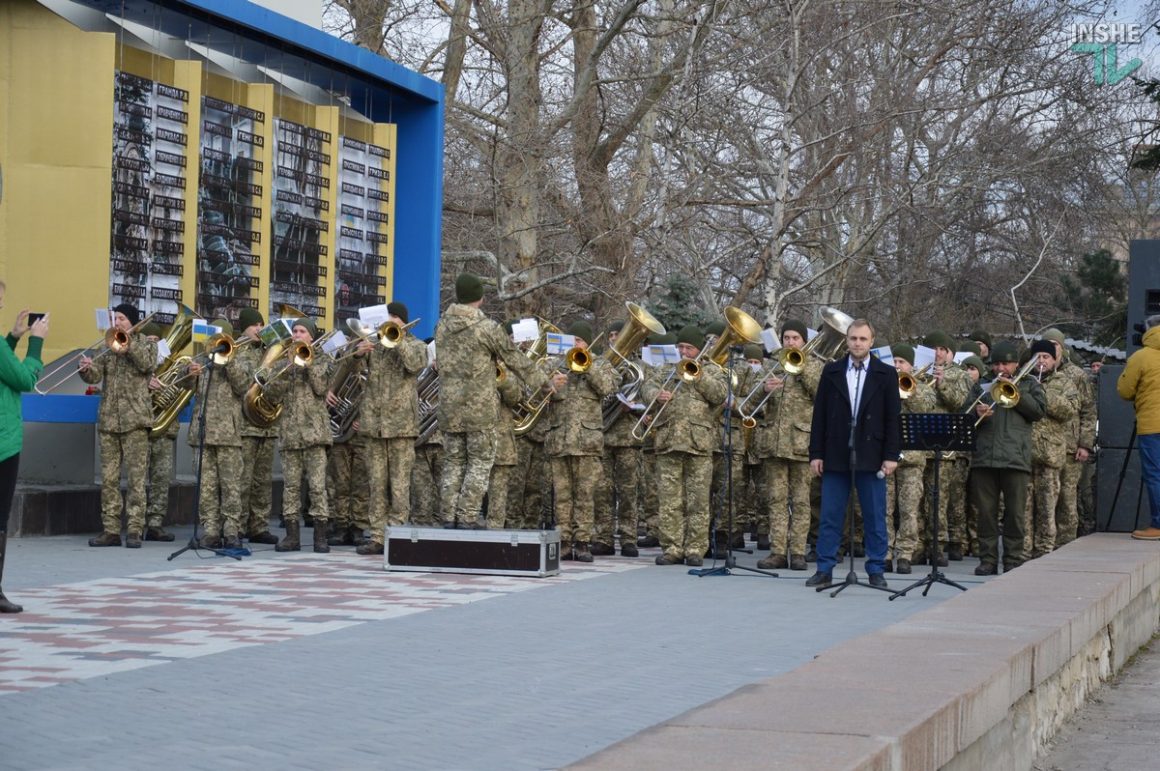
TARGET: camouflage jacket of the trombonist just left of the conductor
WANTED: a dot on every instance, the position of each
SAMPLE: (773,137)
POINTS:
(390,408)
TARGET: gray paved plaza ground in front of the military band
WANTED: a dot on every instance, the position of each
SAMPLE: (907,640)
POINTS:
(538,674)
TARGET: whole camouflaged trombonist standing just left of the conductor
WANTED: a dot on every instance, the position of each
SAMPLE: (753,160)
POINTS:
(389,419)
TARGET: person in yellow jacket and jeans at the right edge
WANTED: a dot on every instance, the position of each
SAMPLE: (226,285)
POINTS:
(1140,383)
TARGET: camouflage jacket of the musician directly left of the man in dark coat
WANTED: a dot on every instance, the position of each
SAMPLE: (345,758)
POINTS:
(784,430)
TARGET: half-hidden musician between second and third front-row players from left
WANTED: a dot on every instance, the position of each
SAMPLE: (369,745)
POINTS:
(257,443)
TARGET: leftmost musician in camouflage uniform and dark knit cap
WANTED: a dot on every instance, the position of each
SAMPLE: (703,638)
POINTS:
(125,420)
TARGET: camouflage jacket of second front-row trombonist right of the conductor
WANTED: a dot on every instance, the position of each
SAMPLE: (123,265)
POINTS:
(690,421)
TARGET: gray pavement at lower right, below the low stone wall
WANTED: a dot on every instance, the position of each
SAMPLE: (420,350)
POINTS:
(1119,728)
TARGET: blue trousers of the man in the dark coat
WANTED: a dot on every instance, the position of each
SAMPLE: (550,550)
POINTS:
(836,493)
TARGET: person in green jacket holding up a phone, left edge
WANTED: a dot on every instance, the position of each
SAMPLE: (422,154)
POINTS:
(17,377)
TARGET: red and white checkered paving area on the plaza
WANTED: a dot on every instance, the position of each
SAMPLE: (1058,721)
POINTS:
(112,625)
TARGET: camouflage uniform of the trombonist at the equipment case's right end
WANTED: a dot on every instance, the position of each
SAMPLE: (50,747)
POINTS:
(576,446)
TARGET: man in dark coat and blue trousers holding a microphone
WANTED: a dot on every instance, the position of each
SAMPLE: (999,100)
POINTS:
(855,421)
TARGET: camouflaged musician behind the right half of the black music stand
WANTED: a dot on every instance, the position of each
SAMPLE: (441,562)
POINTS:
(951,385)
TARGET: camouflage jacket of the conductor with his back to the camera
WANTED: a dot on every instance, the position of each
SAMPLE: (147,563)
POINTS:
(468,346)
